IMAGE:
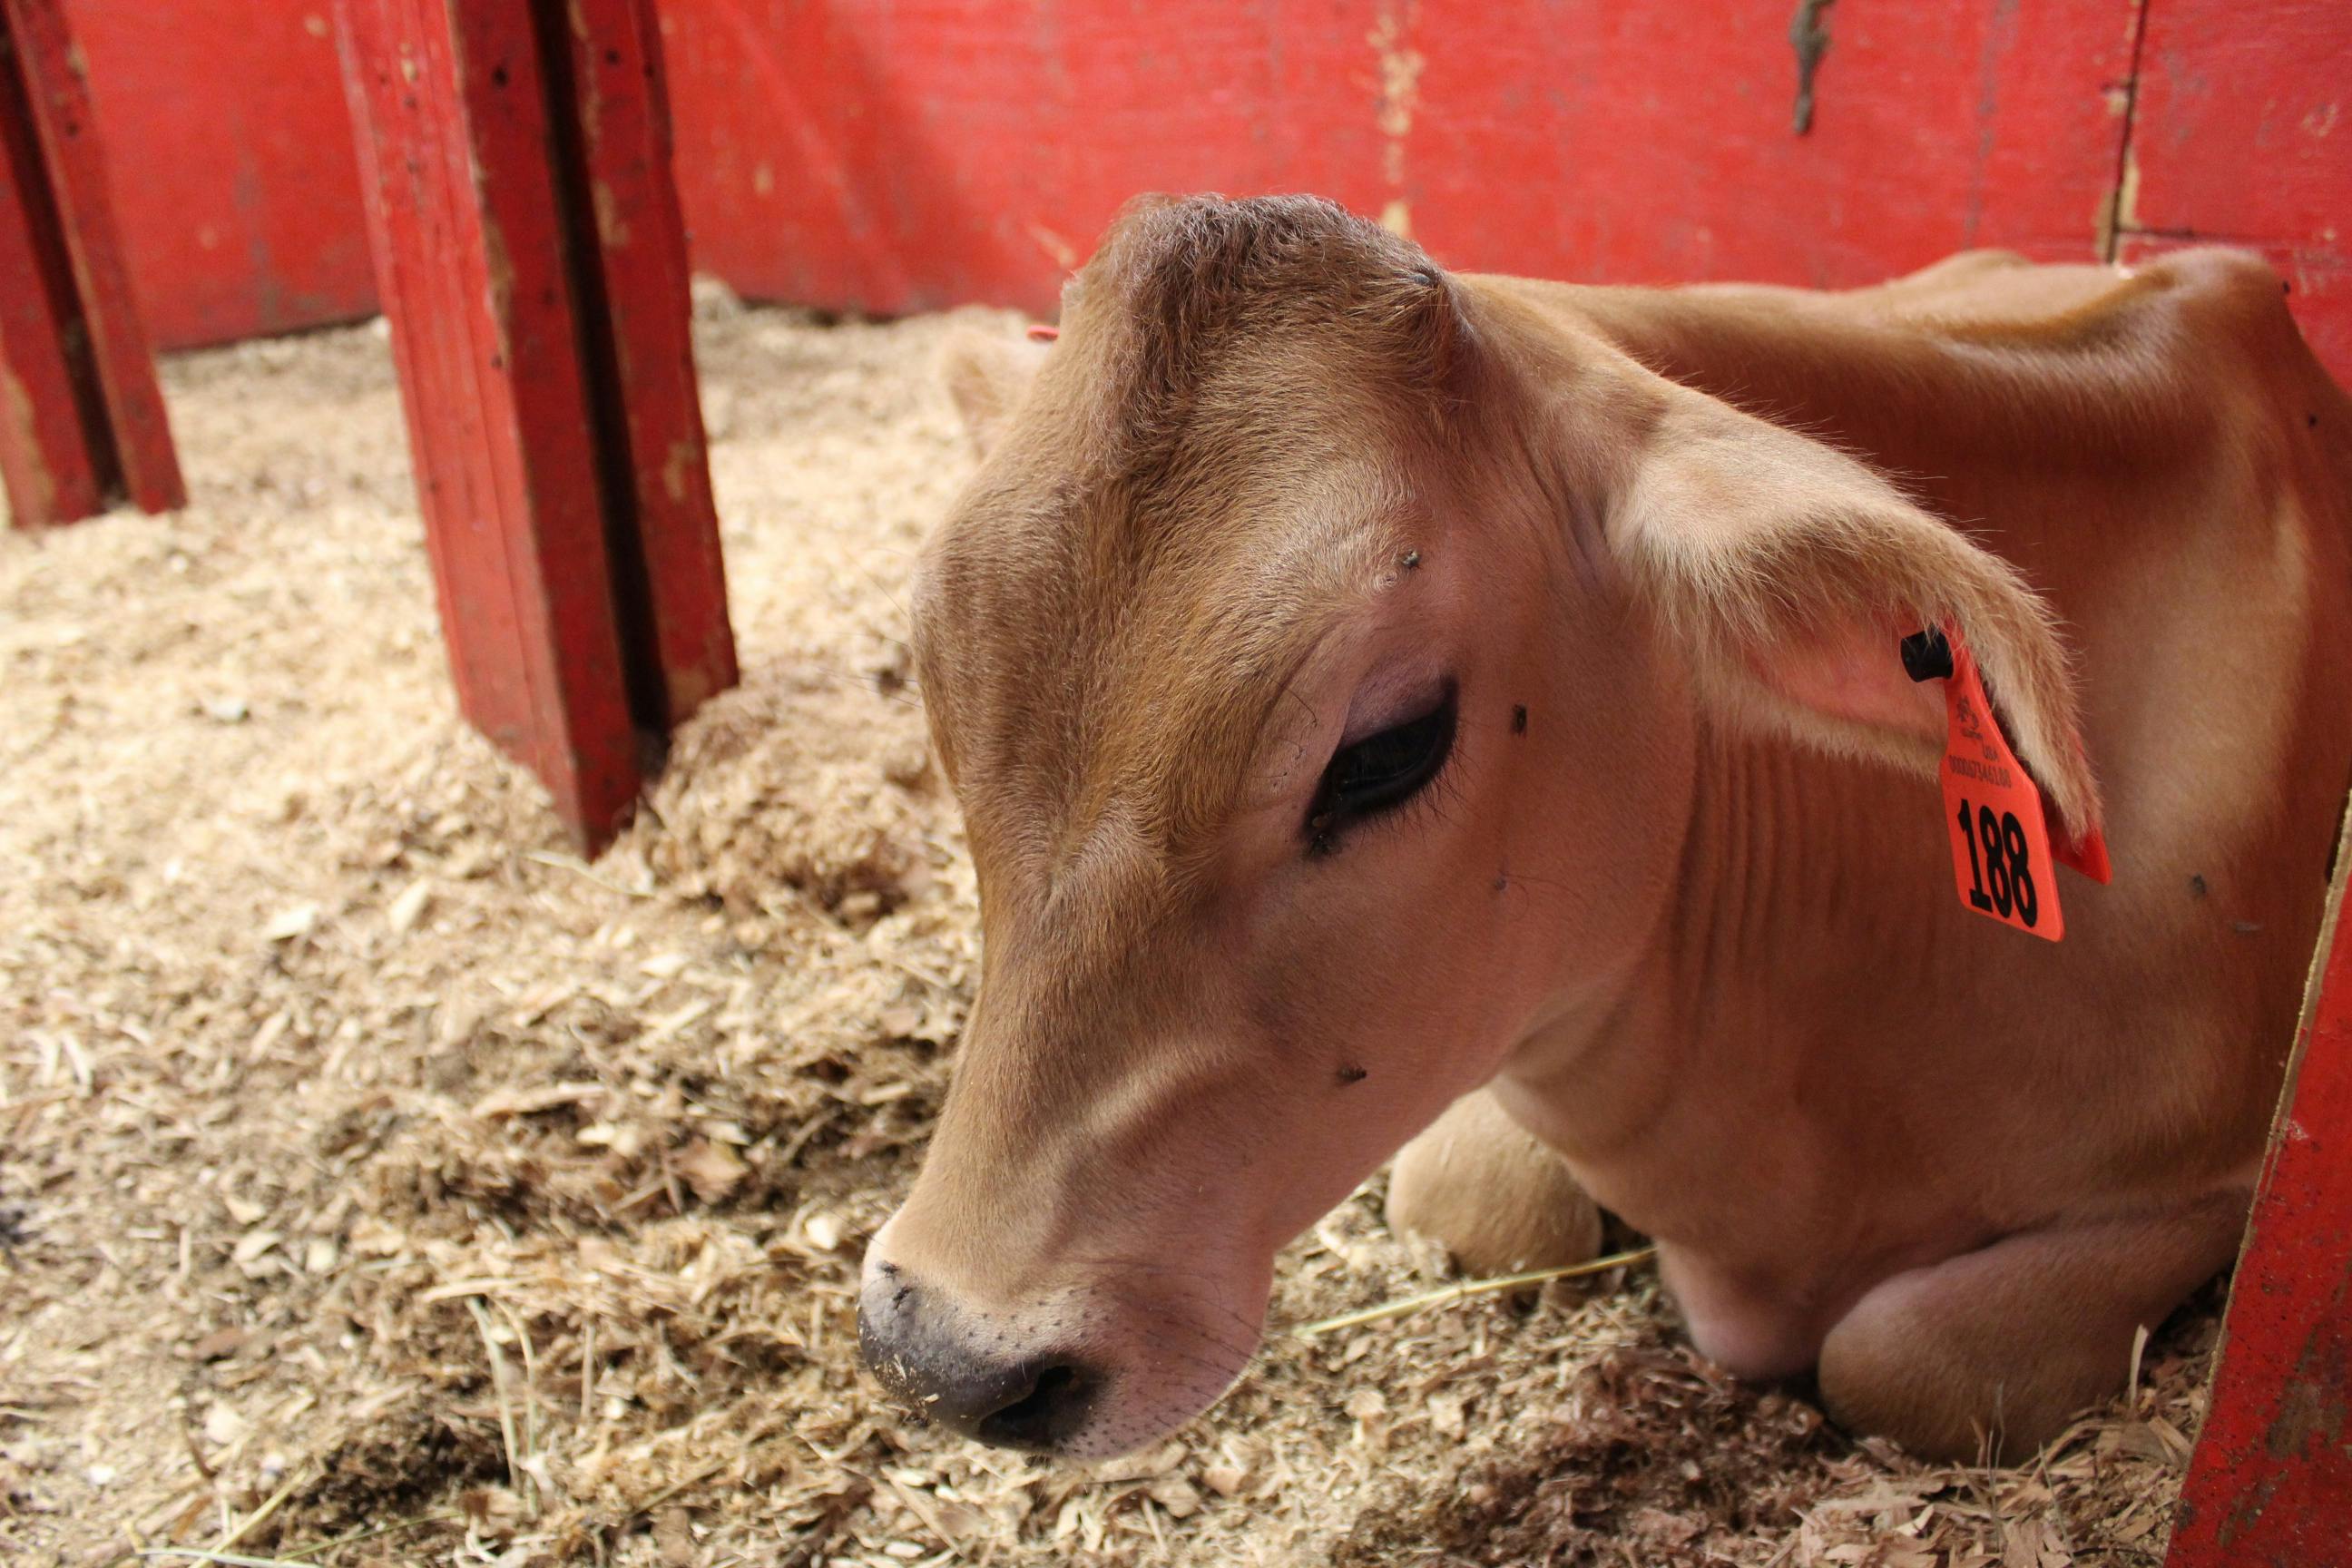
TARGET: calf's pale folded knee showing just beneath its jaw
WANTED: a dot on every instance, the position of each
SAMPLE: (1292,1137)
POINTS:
(1492,1193)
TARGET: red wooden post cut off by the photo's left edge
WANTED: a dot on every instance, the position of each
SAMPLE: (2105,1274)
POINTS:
(81,415)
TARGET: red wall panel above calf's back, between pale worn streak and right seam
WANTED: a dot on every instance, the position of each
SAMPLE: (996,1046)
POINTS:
(1655,142)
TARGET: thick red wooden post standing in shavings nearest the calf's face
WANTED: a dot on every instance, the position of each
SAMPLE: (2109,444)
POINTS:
(533,264)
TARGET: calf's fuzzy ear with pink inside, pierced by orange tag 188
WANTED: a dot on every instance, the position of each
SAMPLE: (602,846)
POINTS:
(1791,575)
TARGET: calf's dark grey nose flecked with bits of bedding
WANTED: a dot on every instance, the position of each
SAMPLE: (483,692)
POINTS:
(968,1376)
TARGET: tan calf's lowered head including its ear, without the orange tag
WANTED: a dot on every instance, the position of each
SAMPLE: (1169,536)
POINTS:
(1318,659)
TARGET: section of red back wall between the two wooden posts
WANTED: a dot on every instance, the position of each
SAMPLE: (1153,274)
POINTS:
(236,177)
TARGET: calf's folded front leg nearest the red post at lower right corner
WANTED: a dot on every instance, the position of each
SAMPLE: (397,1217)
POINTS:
(1996,1351)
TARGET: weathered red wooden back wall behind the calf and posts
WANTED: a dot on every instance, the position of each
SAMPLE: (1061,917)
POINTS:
(907,154)
